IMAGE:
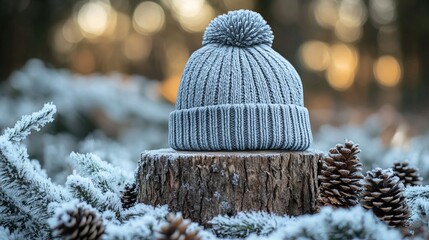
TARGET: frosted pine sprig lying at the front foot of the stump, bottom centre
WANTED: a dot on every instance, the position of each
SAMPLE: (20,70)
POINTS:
(246,223)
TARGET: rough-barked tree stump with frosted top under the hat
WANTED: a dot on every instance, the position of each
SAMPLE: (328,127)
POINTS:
(203,185)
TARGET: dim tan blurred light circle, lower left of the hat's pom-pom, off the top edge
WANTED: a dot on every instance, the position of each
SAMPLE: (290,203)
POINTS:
(137,47)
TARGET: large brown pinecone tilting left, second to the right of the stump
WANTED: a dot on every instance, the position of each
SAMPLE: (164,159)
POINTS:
(383,194)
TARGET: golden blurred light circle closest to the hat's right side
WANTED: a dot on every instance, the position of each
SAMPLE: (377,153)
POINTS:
(315,55)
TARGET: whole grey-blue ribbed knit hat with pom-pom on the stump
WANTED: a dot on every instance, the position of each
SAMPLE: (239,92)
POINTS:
(237,93)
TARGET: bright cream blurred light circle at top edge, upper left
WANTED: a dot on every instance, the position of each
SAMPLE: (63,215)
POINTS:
(93,18)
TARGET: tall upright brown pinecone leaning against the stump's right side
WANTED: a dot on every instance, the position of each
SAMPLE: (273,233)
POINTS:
(341,175)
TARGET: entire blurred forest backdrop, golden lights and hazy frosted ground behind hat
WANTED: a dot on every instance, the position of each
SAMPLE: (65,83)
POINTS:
(113,69)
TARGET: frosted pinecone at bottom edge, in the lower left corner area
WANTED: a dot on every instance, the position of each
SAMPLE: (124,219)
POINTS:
(80,223)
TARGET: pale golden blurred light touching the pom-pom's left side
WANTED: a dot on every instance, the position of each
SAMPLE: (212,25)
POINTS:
(199,21)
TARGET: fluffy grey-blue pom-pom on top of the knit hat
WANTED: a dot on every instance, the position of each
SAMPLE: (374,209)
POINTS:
(242,28)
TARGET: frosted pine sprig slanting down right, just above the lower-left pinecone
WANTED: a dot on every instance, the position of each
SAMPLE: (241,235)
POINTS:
(84,189)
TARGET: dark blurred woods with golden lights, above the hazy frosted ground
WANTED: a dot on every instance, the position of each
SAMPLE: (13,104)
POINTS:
(365,53)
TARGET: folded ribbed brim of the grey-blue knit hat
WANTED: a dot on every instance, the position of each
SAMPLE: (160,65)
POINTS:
(240,127)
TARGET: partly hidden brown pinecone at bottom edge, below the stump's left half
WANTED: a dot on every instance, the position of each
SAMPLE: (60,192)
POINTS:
(175,229)
